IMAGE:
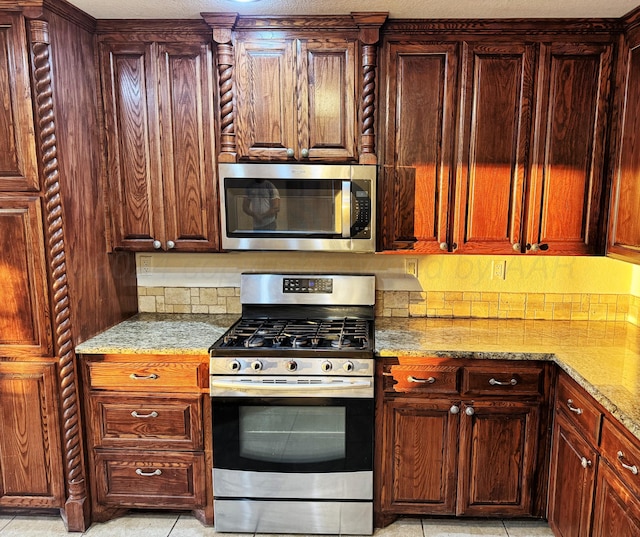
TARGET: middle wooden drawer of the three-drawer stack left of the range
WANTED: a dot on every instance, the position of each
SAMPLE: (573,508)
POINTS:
(153,422)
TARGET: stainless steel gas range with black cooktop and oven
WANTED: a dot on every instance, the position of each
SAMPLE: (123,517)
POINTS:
(292,389)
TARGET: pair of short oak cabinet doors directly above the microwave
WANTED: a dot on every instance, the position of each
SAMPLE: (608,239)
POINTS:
(296,99)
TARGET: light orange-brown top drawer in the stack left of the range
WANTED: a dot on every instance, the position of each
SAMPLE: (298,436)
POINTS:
(146,376)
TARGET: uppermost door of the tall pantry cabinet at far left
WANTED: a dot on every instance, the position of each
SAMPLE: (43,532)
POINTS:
(18,165)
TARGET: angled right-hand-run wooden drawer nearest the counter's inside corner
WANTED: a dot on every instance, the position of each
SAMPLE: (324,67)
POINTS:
(579,408)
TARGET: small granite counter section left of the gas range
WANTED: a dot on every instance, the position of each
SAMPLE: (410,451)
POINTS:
(158,333)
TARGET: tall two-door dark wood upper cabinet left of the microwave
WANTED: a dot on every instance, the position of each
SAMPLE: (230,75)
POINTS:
(159,127)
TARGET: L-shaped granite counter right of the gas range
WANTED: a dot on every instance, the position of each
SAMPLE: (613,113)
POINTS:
(603,357)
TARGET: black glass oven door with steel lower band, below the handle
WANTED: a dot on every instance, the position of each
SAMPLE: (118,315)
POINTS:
(293,447)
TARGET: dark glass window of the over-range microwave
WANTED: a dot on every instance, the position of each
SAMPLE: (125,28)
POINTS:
(283,207)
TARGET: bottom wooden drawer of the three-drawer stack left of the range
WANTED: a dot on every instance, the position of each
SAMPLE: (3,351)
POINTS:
(150,479)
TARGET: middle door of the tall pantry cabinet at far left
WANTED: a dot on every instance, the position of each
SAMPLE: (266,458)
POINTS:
(24,307)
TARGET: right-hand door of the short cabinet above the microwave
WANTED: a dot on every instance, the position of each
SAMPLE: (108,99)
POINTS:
(326,90)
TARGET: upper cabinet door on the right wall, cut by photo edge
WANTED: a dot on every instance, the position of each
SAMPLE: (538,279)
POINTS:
(624,236)
